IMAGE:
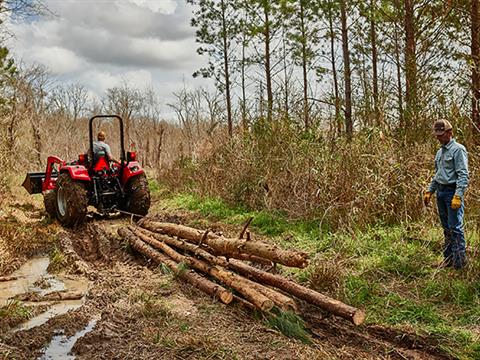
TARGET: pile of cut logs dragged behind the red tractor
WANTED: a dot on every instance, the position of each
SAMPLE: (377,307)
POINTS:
(217,266)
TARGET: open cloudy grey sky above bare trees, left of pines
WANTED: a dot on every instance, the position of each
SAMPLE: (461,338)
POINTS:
(100,44)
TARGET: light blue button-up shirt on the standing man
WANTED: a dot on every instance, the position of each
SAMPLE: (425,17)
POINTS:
(451,167)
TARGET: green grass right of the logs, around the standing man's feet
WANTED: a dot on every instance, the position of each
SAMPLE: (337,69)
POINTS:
(387,270)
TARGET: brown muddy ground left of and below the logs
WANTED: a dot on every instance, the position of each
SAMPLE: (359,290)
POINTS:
(132,310)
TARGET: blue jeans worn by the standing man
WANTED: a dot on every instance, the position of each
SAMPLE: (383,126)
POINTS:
(452,223)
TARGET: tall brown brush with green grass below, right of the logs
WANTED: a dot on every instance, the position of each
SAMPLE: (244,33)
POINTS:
(357,208)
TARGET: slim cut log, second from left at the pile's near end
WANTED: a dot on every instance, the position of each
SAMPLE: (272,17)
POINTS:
(229,278)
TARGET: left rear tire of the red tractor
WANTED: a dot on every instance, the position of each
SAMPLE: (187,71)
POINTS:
(71,201)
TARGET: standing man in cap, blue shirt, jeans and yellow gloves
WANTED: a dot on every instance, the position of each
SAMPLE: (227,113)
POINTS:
(450,182)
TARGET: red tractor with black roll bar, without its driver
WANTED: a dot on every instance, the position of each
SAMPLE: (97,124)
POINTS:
(68,188)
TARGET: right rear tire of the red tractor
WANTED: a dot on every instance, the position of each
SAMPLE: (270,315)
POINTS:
(138,196)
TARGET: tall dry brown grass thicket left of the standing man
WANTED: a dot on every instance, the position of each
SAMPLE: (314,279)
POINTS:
(369,180)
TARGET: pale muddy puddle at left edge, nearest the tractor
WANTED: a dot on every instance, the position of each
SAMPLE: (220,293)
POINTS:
(26,275)
